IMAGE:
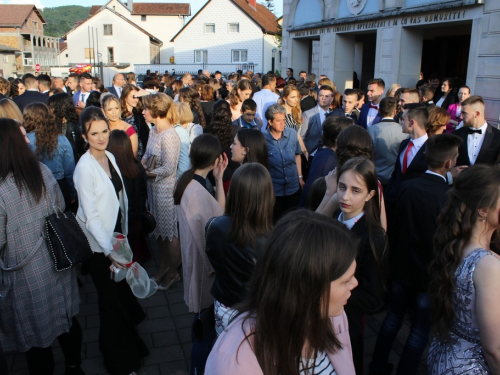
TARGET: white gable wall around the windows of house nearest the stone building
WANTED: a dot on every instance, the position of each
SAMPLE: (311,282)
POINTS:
(220,44)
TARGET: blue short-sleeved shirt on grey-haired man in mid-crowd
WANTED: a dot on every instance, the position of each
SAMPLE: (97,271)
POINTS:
(282,166)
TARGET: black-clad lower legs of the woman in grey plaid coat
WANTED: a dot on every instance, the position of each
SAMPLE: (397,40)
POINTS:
(41,360)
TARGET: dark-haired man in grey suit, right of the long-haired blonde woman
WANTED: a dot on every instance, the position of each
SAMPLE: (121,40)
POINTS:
(312,120)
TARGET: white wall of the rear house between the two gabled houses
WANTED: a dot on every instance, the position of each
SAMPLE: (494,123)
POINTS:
(162,27)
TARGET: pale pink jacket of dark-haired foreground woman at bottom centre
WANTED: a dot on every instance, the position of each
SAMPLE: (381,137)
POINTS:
(233,354)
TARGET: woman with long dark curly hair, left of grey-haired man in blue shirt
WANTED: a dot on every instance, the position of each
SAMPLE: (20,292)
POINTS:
(223,128)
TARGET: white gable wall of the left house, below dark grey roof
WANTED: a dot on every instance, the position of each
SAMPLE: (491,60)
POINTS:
(130,45)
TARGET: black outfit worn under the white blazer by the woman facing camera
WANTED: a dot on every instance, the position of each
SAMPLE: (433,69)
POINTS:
(119,311)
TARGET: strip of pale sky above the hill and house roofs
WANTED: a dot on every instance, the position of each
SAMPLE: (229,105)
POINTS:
(195,4)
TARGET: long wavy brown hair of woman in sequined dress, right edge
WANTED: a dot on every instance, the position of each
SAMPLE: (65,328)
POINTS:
(475,188)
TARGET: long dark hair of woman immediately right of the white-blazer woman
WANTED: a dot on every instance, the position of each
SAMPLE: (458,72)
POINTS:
(121,148)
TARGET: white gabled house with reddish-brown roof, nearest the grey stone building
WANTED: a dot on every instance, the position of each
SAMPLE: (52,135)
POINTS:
(228,35)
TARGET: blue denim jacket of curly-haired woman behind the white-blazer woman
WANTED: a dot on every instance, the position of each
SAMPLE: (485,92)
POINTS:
(61,163)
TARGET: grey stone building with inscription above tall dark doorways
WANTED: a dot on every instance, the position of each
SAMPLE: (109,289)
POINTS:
(396,40)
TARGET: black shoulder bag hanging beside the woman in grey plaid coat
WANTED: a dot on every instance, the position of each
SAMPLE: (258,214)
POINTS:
(66,240)
